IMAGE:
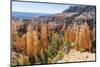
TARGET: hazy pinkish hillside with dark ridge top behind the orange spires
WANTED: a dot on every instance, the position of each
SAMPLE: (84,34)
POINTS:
(78,14)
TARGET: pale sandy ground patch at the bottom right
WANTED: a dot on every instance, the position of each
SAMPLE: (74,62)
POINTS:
(75,56)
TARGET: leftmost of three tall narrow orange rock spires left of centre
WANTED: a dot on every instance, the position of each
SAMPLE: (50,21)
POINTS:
(30,41)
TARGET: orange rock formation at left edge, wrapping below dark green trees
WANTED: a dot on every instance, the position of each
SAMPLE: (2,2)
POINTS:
(18,43)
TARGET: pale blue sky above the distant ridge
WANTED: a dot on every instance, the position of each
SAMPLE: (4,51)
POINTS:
(38,7)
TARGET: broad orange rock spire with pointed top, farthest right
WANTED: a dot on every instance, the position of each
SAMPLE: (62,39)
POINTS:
(84,37)
